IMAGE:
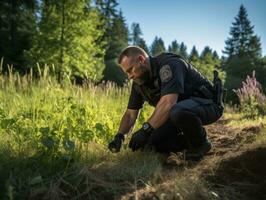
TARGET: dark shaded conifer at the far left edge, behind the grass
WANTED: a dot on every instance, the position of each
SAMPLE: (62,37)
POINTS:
(17,27)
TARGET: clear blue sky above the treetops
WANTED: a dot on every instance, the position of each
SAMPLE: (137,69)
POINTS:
(195,22)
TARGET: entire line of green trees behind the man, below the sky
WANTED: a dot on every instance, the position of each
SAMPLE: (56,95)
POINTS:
(81,40)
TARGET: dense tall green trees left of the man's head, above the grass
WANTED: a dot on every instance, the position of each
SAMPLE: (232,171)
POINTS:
(75,38)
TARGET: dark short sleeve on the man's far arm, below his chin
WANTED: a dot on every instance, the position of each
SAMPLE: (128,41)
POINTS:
(135,101)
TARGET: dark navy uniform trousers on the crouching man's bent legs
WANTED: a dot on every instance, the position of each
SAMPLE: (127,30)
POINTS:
(184,128)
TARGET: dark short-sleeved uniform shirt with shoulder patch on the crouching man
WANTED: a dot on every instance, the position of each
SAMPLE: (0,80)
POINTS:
(170,75)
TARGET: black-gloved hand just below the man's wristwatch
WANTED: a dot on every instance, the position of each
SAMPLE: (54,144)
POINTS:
(139,139)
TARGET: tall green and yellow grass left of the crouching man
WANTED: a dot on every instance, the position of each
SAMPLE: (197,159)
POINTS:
(53,135)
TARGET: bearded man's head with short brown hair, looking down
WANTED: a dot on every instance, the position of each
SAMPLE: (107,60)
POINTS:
(135,63)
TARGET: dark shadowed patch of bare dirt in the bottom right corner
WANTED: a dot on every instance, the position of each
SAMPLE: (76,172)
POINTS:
(243,174)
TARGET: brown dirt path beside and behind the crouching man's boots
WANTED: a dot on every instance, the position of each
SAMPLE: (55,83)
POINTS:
(233,169)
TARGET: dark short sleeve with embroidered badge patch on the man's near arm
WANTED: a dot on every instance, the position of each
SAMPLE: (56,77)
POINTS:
(172,75)
